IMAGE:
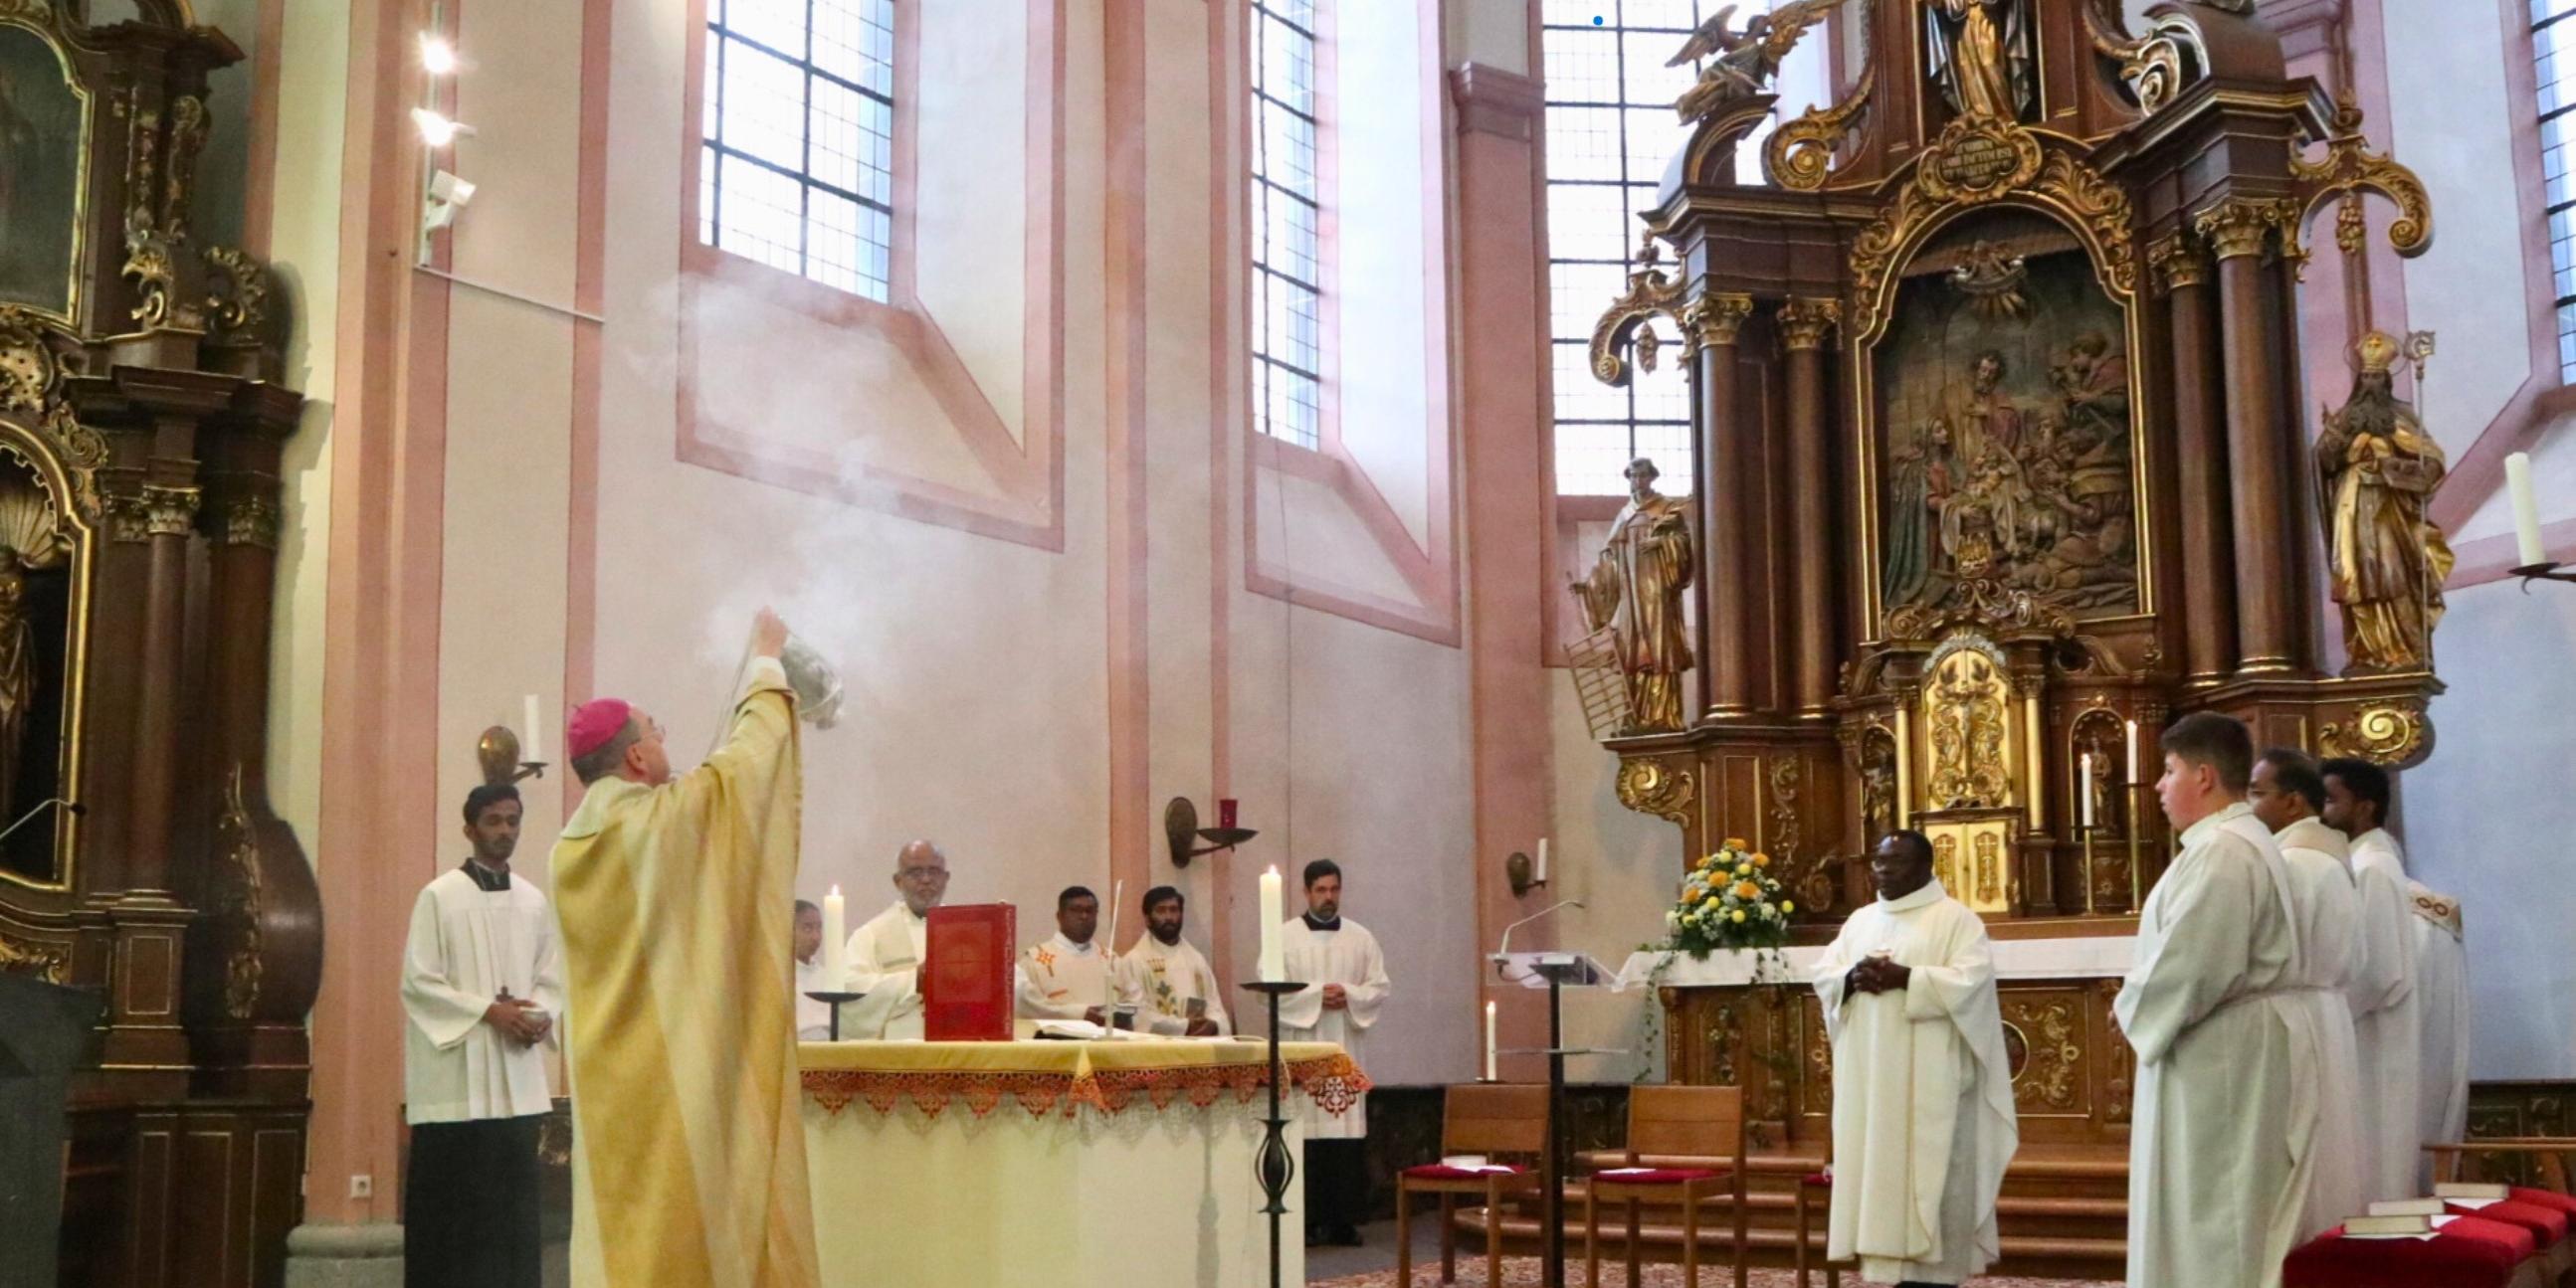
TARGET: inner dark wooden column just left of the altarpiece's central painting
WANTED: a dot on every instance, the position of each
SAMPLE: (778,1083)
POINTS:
(1804,323)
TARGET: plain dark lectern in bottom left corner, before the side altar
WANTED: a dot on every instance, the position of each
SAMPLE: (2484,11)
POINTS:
(45,1032)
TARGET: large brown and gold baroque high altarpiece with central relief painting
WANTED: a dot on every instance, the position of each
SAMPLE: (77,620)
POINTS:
(2003,465)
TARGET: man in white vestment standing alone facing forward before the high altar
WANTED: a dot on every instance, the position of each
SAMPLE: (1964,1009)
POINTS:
(1923,1088)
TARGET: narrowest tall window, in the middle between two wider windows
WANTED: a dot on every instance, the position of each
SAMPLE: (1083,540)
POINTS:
(1287,249)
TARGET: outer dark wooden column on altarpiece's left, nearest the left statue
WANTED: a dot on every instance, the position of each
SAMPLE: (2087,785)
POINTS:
(1727,447)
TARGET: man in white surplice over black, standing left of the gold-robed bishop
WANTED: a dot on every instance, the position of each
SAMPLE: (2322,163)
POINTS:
(483,983)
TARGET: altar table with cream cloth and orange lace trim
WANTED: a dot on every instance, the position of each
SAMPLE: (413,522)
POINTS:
(1055,1163)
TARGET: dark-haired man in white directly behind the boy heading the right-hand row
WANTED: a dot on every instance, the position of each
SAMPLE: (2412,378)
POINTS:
(2289,795)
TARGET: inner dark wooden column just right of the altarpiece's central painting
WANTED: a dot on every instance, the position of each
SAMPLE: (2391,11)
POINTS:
(2201,462)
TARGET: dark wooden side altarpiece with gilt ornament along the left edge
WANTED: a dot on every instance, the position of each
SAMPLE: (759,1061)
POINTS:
(140,437)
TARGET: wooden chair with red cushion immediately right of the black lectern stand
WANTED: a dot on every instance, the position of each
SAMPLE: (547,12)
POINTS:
(1704,1127)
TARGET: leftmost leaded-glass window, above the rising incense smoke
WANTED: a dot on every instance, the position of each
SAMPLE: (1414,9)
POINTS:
(797,166)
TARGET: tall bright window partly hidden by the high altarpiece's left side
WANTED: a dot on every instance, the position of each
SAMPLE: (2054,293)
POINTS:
(1611,135)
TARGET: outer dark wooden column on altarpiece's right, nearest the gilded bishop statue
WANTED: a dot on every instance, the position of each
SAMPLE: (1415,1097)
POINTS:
(2260,509)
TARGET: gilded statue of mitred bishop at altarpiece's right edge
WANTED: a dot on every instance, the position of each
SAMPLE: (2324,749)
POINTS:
(2384,555)
